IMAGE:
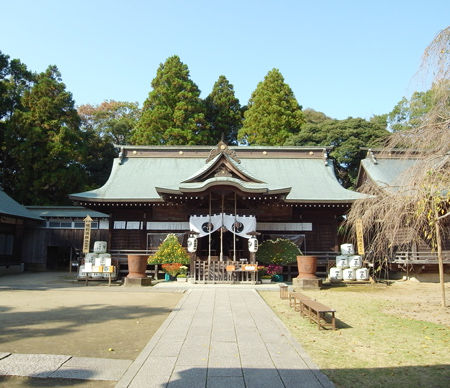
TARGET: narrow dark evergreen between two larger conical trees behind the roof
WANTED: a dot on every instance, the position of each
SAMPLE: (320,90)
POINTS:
(223,112)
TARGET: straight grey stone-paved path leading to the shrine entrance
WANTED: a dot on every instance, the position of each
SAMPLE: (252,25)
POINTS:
(223,337)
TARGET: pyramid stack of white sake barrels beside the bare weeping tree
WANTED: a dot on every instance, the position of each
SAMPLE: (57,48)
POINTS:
(348,266)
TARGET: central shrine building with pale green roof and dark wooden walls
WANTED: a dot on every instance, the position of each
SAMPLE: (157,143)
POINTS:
(223,195)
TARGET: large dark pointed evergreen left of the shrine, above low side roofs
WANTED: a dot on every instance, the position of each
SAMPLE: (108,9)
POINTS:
(44,144)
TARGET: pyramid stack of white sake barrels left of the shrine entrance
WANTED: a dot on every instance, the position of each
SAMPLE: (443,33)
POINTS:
(97,264)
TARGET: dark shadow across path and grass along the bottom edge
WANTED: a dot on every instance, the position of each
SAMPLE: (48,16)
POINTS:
(436,376)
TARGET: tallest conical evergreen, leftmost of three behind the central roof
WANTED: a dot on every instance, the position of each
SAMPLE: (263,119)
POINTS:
(173,112)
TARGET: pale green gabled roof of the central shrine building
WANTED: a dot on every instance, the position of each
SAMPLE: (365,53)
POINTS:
(304,174)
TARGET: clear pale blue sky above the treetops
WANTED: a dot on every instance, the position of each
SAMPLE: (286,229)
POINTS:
(344,58)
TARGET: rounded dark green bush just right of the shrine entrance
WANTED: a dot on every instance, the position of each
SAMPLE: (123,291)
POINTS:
(279,251)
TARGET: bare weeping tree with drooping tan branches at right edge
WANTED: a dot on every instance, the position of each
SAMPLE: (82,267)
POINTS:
(415,208)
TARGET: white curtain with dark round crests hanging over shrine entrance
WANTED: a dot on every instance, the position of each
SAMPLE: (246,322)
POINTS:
(239,225)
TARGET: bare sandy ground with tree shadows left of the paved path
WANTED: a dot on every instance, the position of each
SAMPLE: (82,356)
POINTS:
(58,316)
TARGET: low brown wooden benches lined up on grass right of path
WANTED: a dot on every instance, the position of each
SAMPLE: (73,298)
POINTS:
(315,311)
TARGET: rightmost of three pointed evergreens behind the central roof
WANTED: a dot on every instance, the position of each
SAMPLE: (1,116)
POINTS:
(273,112)
